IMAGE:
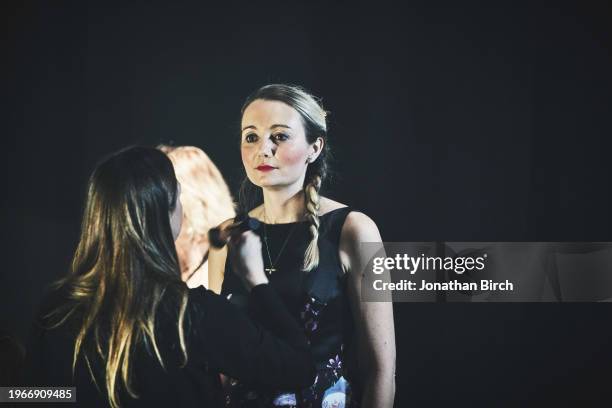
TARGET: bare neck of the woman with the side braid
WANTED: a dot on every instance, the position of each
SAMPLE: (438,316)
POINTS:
(283,205)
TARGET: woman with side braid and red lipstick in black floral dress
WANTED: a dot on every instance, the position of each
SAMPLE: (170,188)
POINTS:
(312,255)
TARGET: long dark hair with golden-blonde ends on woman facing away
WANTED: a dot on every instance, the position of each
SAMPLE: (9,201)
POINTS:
(124,263)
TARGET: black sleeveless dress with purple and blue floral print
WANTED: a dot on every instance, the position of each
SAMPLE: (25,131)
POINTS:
(318,301)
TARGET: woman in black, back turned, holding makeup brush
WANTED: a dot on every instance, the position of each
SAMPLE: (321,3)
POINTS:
(126,331)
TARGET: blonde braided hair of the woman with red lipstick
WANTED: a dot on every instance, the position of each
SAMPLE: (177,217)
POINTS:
(315,125)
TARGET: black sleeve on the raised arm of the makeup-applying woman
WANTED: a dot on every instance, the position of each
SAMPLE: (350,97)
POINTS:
(236,346)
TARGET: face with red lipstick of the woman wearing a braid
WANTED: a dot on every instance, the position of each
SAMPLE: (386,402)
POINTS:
(274,149)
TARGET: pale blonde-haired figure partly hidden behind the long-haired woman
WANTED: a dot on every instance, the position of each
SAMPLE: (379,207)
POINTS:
(206,203)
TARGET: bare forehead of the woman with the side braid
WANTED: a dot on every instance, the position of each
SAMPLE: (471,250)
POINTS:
(264,114)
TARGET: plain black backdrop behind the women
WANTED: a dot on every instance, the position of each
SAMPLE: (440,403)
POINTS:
(471,122)
